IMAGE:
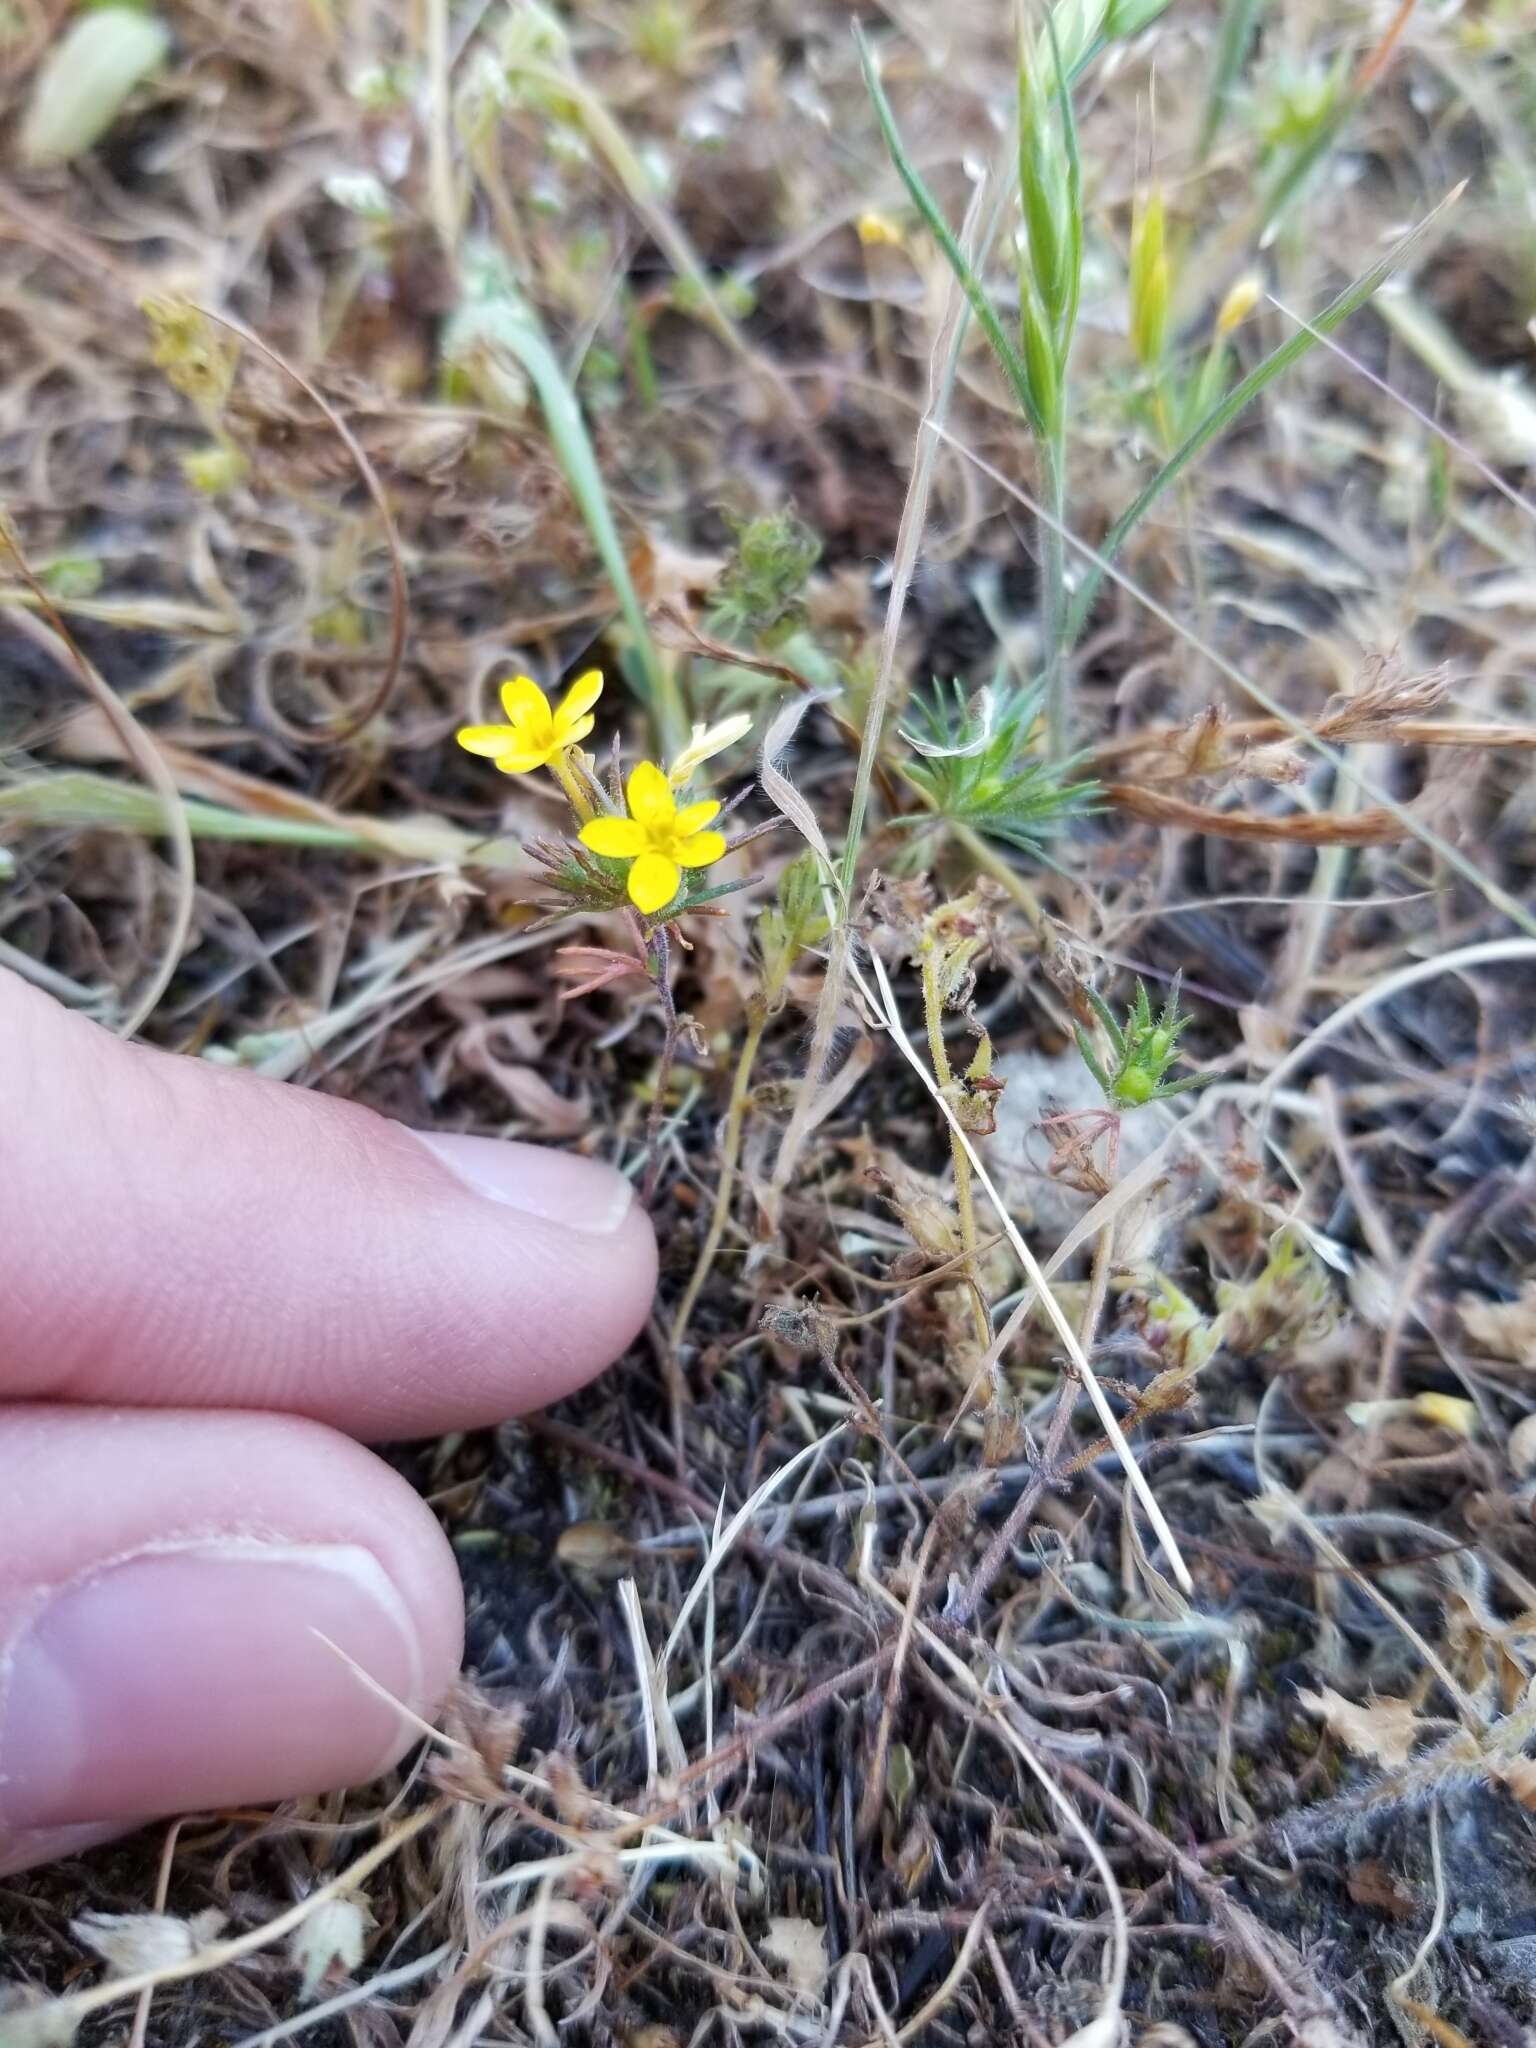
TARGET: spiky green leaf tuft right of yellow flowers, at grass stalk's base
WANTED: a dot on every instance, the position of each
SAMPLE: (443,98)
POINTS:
(974,765)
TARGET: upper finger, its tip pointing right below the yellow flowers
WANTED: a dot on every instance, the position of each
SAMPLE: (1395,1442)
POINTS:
(263,1246)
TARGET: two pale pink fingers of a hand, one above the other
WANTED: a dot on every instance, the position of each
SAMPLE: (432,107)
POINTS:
(210,1285)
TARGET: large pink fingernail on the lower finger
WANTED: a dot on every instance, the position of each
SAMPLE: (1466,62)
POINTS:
(200,1678)
